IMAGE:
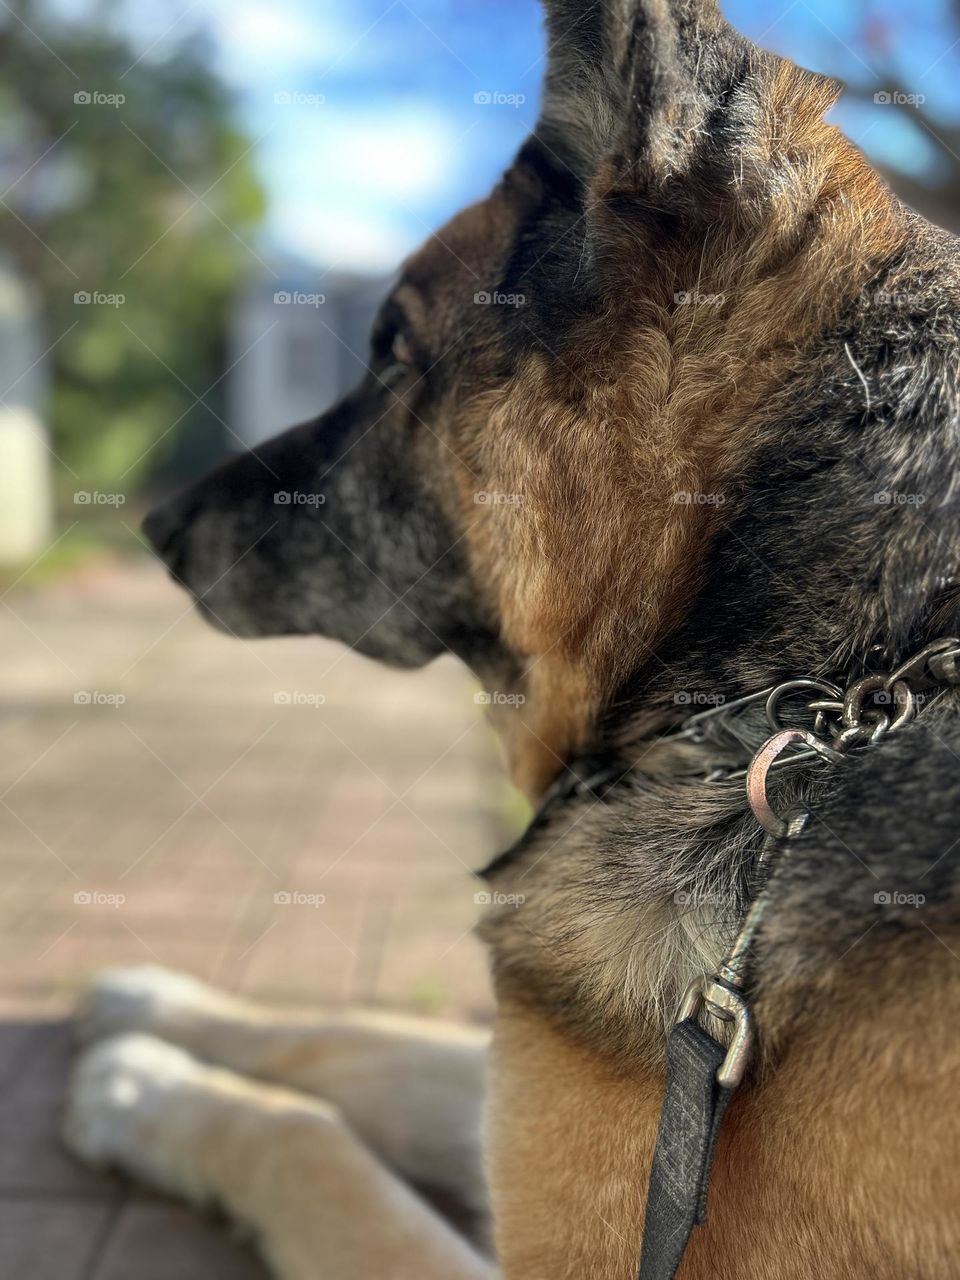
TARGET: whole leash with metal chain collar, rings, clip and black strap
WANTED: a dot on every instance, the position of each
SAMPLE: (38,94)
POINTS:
(705,1072)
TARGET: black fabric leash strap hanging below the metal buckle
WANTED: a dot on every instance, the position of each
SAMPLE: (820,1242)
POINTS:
(693,1110)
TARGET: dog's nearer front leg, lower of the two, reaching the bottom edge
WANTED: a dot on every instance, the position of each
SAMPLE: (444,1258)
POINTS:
(286,1167)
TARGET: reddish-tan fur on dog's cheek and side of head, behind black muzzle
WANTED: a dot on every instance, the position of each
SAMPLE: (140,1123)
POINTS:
(600,555)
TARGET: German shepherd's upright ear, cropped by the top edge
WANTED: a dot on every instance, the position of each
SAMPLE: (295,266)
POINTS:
(661,100)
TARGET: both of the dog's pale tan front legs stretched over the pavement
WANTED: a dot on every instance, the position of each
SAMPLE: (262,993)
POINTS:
(317,1181)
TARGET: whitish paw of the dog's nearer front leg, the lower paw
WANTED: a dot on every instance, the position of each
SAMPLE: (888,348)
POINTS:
(129,1100)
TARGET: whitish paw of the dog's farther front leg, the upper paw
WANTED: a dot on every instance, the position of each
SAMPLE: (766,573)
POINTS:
(141,999)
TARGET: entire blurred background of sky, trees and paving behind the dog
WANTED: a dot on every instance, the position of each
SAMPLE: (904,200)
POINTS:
(202,203)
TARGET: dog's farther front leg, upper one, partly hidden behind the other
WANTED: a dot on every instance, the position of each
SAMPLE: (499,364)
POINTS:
(410,1089)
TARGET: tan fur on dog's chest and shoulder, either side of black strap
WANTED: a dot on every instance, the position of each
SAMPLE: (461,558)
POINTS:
(824,1172)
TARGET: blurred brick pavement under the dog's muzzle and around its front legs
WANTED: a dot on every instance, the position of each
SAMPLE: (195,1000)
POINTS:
(282,819)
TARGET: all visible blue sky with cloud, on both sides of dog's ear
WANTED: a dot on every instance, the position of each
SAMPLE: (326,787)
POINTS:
(368,132)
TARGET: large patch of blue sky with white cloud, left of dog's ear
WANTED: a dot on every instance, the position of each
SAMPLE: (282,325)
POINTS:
(397,143)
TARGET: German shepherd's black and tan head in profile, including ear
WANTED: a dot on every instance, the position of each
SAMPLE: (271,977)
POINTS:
(563,383)
